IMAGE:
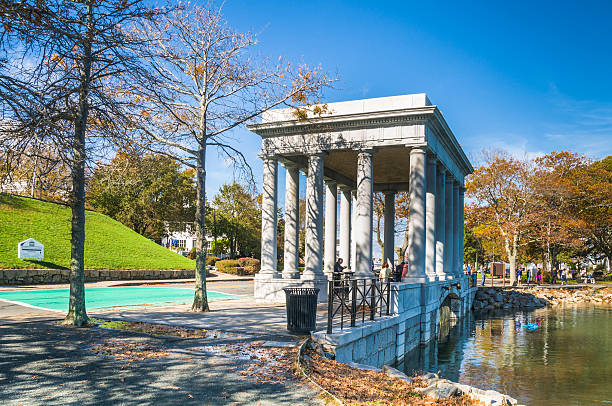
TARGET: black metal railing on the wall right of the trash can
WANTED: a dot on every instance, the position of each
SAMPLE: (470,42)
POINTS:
(349,300)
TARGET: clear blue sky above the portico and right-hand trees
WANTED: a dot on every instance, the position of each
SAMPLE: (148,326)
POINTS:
(528,77)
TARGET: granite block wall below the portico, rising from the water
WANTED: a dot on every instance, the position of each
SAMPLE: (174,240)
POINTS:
(414,320)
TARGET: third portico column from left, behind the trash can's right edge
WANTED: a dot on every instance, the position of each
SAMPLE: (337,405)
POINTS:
(314,219)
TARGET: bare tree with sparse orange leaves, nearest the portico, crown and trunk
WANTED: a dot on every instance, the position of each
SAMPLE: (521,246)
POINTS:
(208,83)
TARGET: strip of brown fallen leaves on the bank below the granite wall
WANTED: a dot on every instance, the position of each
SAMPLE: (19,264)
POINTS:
(355,386)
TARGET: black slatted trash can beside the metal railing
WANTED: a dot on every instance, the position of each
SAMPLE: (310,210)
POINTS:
(301,306)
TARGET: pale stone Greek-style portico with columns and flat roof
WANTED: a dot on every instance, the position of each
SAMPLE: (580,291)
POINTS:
(390,144)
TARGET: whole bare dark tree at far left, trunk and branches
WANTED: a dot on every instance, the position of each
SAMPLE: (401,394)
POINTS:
(61,66)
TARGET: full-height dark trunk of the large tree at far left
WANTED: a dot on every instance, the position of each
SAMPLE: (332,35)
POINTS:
(77,314)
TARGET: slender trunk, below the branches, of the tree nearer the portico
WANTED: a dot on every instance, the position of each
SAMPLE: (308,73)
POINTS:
(200,300)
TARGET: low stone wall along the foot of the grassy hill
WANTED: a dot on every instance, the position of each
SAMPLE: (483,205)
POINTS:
(51,276)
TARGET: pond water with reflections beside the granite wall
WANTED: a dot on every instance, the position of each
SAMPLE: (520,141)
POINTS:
(567,360)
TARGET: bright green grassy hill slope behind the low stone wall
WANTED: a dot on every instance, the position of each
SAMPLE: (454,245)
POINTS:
(108,243)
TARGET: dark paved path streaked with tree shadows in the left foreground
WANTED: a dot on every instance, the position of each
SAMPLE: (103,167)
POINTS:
(43,363)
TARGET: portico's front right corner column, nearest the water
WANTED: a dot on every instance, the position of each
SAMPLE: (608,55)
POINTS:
(416,248)
